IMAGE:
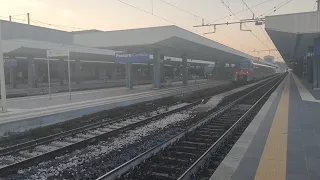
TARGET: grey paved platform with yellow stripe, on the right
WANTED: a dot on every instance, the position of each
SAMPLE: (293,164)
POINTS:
(282,142)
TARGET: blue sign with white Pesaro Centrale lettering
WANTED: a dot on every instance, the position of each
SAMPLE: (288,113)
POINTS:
(132,58)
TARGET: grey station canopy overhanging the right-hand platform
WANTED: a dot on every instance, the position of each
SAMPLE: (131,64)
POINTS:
(293,34)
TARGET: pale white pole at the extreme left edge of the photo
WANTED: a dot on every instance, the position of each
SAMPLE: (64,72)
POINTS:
(2,78)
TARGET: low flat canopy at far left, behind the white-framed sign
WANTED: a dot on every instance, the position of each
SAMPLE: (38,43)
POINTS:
(38,49)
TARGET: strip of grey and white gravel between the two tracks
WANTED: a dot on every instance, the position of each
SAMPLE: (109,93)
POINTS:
(95,160)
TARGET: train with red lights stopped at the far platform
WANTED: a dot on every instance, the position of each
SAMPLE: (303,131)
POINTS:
(251,71)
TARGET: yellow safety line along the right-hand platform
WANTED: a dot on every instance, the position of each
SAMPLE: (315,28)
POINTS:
(273,162)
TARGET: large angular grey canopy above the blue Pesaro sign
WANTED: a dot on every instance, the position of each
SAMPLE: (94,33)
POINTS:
(171,41)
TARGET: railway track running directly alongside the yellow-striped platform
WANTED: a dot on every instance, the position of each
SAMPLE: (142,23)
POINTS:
(182,156)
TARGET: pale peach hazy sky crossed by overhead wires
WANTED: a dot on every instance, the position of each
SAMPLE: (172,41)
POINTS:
(112,14)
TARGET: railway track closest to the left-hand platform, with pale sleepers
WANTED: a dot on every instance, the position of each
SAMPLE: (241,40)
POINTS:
(33,152)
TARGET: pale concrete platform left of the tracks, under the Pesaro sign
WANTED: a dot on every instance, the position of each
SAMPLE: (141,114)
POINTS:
(30,112)
